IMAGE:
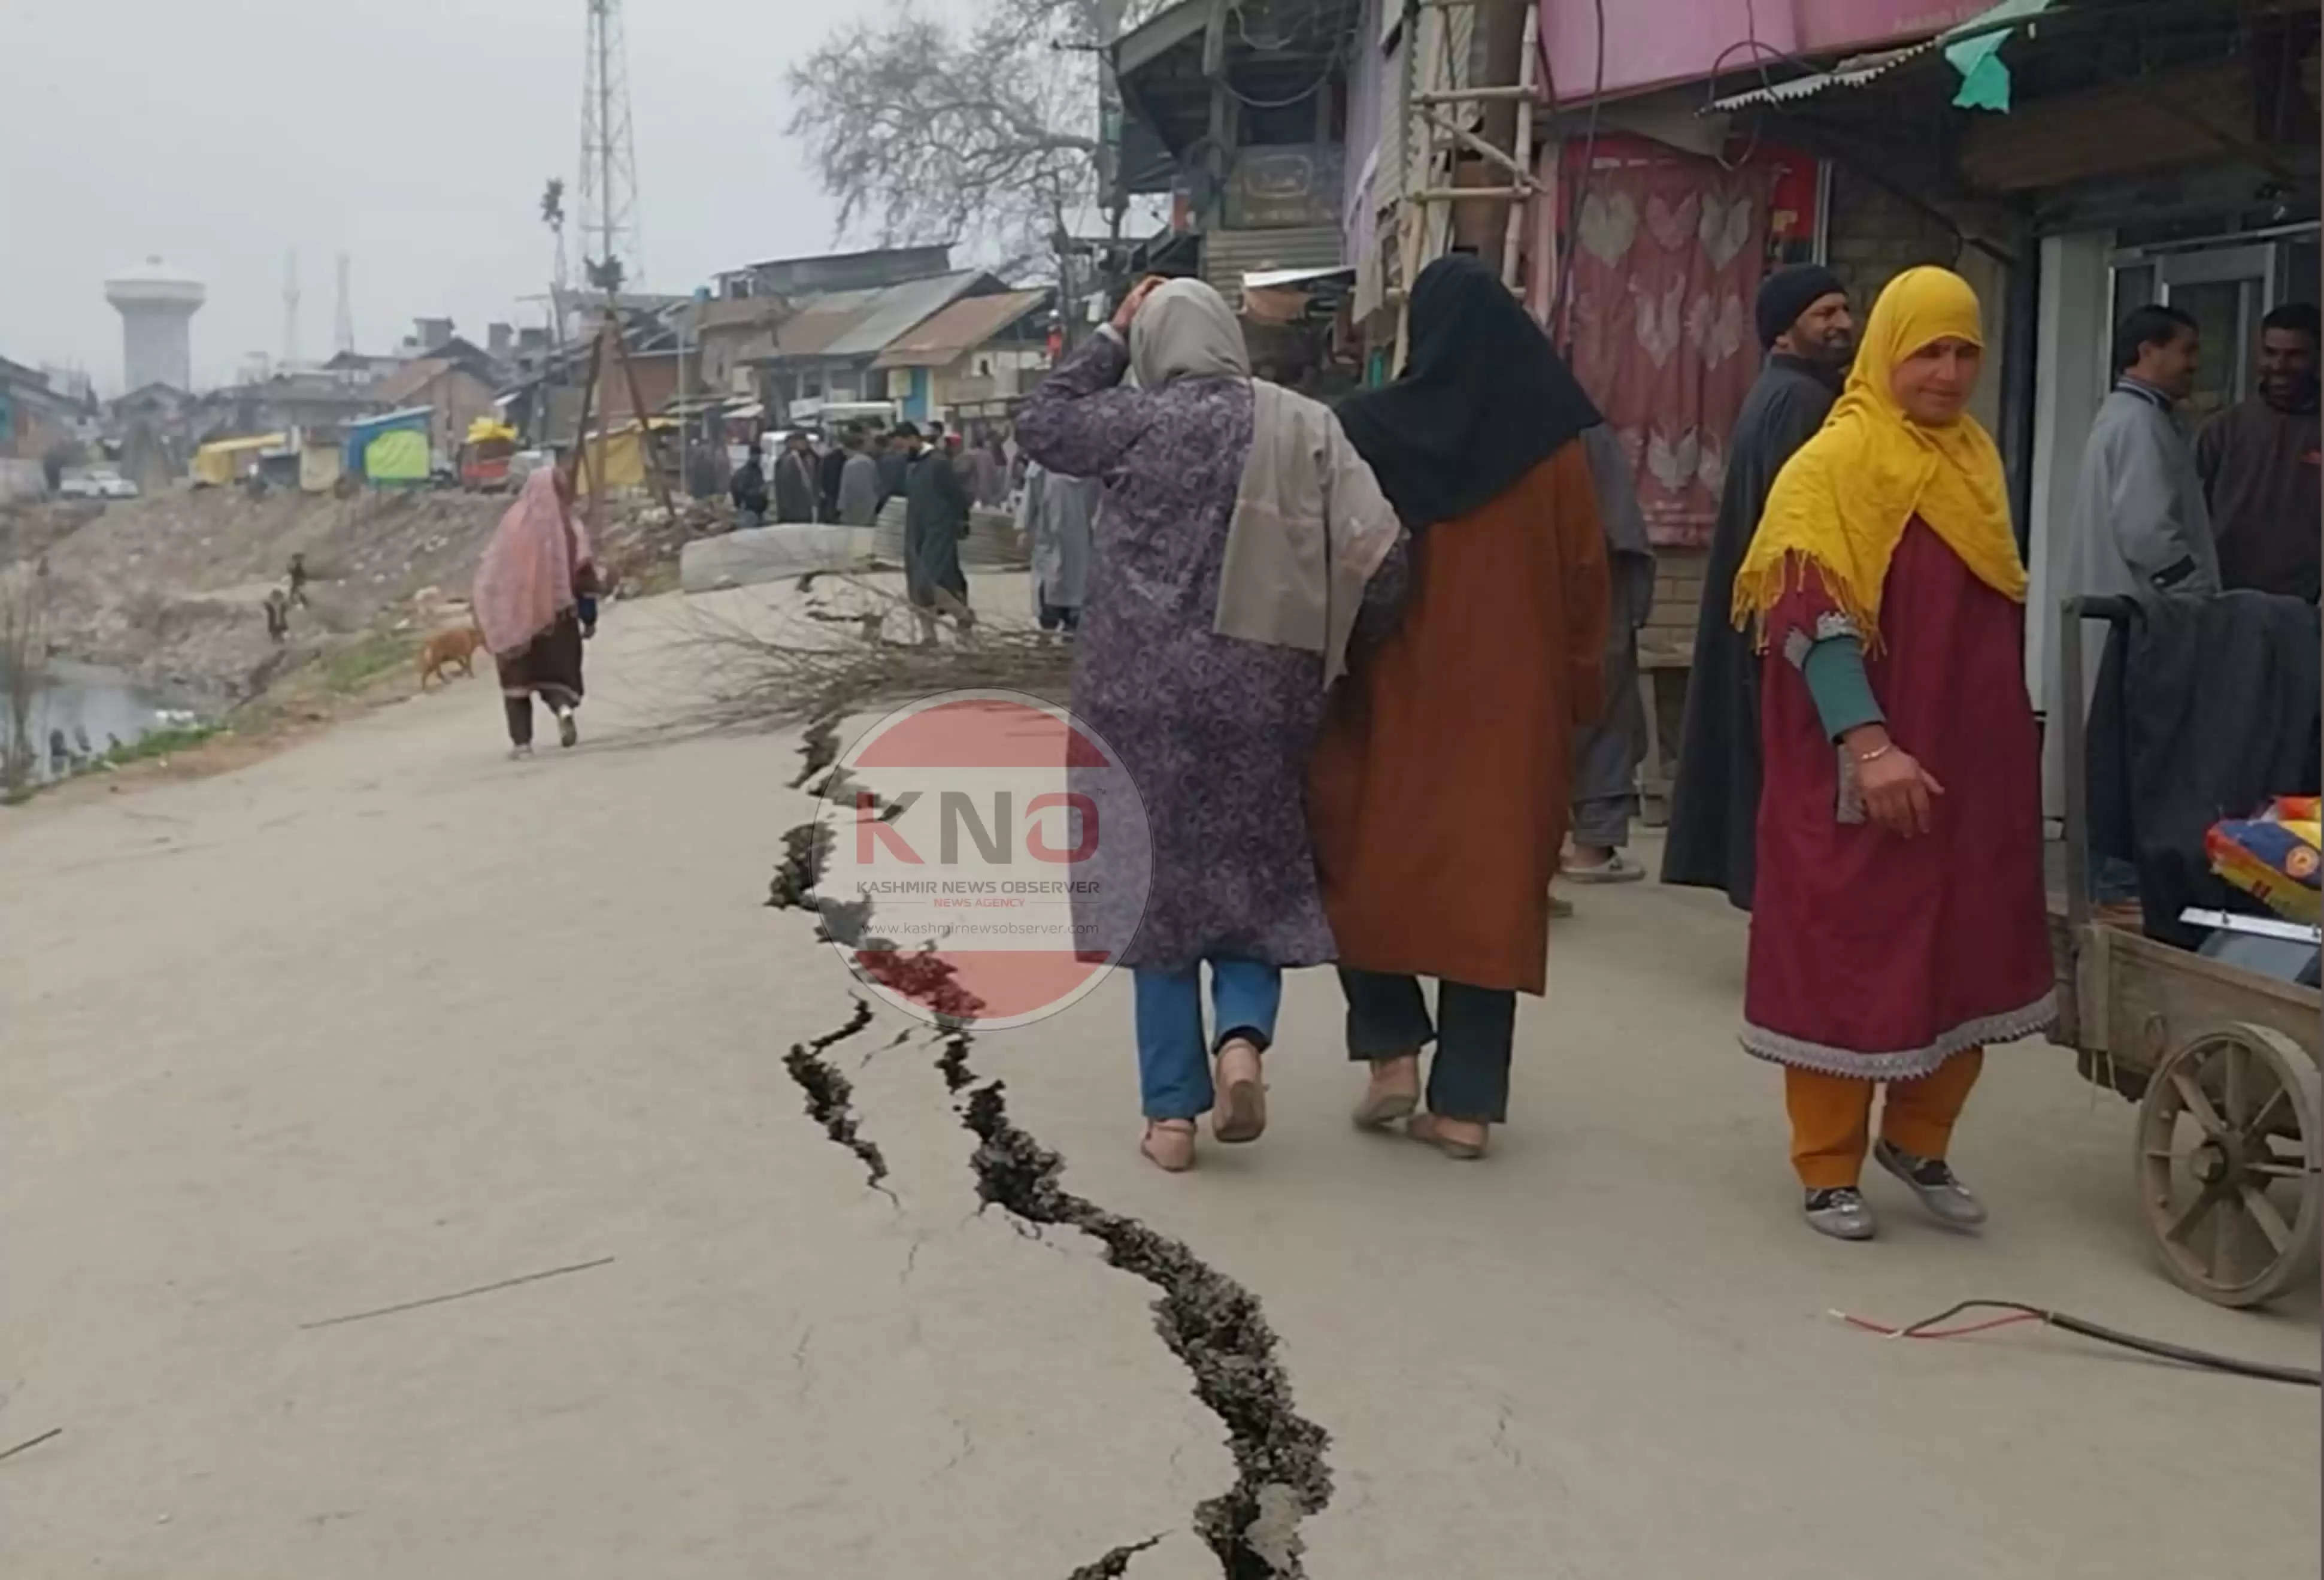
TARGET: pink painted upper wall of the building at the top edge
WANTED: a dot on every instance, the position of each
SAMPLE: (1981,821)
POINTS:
(1663,43)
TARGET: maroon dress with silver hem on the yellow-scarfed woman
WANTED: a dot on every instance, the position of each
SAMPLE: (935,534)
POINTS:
(1877,956)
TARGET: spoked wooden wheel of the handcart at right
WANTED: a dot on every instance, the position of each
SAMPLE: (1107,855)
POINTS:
(2232,1165)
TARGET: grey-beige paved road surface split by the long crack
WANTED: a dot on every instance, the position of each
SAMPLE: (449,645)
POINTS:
(389,1019)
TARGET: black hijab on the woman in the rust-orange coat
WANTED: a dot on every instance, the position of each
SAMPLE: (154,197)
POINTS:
(1482,403)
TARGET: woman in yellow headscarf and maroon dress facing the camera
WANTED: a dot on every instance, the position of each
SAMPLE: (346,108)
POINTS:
(1900,921)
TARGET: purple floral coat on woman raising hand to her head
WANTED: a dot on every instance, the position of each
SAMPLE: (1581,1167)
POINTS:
(1217,733)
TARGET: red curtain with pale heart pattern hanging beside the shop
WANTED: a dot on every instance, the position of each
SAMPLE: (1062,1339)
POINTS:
(1667,261)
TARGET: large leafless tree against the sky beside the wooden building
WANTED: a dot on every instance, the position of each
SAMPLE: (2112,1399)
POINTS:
(984,134)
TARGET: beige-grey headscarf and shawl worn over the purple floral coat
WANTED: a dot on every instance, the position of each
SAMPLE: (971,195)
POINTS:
(1310,522)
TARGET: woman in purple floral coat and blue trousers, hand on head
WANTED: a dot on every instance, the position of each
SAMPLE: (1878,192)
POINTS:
(1228,503)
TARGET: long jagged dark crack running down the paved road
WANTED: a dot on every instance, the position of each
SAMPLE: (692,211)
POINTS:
(1205,1319)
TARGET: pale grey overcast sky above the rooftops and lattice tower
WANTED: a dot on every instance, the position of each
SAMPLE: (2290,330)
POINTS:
(413,138)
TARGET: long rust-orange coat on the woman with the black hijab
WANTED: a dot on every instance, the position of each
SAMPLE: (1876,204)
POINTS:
(1440,793)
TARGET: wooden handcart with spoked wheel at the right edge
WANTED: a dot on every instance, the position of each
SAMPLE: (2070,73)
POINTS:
(2221,1061)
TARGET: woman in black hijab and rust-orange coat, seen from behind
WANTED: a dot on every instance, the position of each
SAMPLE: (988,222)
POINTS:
(1440,793)
